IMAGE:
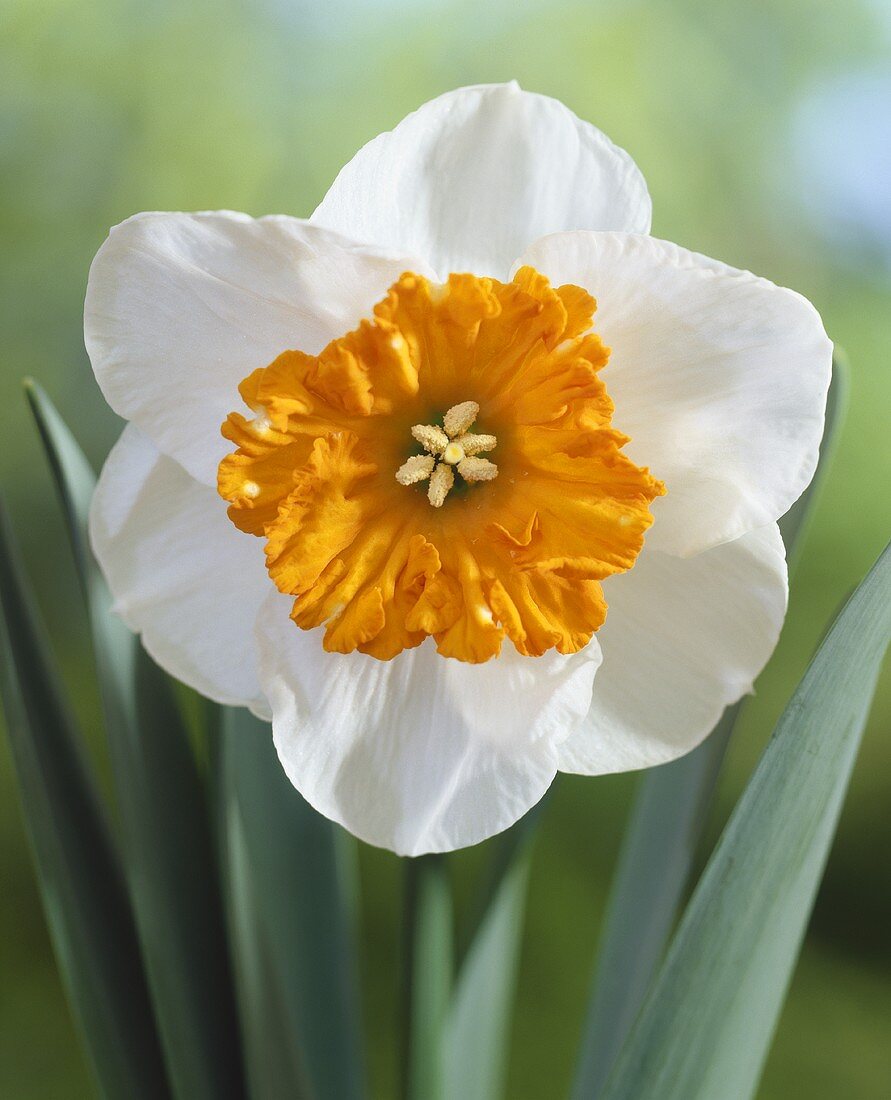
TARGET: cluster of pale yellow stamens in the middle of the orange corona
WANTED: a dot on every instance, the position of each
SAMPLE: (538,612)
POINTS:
(452,446)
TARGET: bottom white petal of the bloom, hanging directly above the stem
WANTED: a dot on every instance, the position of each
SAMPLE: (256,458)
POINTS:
(423,753)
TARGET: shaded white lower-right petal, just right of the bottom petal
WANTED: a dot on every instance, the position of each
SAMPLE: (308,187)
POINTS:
(684,639)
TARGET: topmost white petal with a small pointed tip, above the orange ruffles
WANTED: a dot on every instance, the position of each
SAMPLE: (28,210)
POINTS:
(472,178)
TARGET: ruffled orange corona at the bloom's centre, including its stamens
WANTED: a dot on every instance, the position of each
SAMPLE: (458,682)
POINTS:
(355,524)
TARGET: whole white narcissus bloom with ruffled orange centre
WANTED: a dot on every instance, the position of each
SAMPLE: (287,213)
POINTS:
(390,470)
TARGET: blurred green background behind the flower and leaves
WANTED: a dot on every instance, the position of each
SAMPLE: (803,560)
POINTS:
(765,134)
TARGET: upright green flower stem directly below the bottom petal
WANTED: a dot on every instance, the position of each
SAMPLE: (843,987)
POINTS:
(427,975)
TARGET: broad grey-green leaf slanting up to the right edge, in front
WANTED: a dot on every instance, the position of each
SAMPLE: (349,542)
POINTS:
(707,1027)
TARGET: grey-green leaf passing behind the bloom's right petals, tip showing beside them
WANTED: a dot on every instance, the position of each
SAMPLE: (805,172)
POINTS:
(663,837)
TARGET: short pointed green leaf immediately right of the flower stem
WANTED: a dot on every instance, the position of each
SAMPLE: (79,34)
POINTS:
(479,1026)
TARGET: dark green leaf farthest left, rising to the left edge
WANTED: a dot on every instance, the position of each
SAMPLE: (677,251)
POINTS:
(80,876)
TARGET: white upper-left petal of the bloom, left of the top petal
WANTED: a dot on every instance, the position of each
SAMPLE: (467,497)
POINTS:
(181,307)
